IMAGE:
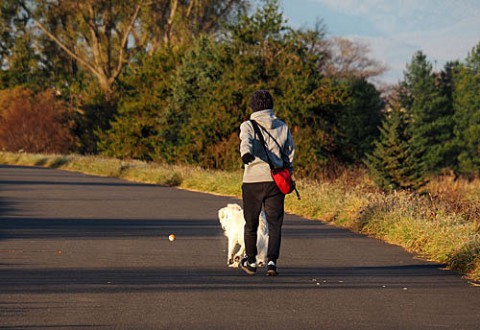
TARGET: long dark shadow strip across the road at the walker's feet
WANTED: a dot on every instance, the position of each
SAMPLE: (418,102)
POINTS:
(46,281)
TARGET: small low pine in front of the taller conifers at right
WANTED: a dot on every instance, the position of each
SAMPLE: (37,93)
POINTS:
(391,164)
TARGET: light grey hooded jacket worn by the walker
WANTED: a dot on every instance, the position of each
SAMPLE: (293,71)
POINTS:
(259,170)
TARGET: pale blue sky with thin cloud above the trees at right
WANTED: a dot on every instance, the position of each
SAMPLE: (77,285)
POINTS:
(394,30)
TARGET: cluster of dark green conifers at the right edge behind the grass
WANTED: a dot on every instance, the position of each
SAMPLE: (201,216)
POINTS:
(432,125)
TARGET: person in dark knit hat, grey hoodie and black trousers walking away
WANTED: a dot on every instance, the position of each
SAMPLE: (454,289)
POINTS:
(258,188)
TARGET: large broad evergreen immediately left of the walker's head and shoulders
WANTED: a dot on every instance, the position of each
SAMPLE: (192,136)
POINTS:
(204,110)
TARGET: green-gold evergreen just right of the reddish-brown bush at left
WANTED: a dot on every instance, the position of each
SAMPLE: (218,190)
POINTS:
(138,130)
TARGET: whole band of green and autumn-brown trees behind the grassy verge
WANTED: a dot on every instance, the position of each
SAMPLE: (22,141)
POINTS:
(169,81)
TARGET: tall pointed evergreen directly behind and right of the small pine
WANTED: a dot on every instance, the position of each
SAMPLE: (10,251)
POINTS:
(431,121)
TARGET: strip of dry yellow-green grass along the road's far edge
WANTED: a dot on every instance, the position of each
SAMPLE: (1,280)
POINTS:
(444,226)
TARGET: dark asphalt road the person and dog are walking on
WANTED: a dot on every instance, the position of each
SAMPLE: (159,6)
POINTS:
(78,252)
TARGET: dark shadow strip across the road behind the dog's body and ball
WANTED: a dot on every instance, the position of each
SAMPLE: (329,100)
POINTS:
(45,228)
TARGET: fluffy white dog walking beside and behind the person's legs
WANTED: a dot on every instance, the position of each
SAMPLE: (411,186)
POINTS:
(233,224)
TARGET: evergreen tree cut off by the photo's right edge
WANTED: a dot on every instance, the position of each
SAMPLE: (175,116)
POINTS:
(467,113)
